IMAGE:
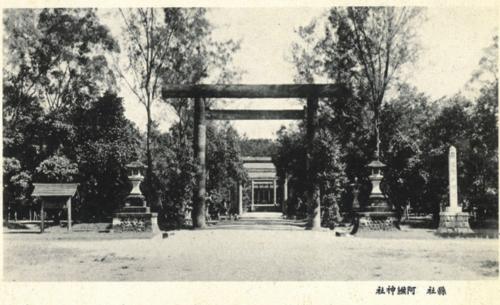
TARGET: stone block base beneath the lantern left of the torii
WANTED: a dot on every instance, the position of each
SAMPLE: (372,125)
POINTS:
(124,221)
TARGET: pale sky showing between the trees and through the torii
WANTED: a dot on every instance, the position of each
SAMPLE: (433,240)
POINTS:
(452,40)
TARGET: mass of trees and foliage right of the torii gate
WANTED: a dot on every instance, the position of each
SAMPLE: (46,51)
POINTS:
(412,132)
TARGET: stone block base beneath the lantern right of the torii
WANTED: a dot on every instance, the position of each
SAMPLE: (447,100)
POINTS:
(375,221)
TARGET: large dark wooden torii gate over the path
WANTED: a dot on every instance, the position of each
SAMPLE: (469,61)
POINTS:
(309,91)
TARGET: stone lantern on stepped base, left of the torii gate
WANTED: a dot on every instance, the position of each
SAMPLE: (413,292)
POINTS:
(134,215)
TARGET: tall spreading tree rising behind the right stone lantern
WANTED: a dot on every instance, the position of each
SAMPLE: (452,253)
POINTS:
(363,47)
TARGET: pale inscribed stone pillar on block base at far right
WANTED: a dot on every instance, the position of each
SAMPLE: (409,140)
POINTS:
(452,220)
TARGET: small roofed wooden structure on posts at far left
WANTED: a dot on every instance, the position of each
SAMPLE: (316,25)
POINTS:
(52,196)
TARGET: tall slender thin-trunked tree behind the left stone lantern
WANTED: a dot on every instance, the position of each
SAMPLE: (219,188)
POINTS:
(150,37)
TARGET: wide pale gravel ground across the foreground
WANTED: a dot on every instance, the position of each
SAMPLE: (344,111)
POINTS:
(248,255)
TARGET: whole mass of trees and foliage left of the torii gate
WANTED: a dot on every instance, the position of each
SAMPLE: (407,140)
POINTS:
(64,123)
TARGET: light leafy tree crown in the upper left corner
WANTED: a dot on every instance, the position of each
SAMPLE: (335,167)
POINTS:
(57,55)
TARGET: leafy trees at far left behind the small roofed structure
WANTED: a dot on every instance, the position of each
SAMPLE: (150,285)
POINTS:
(59,122)
